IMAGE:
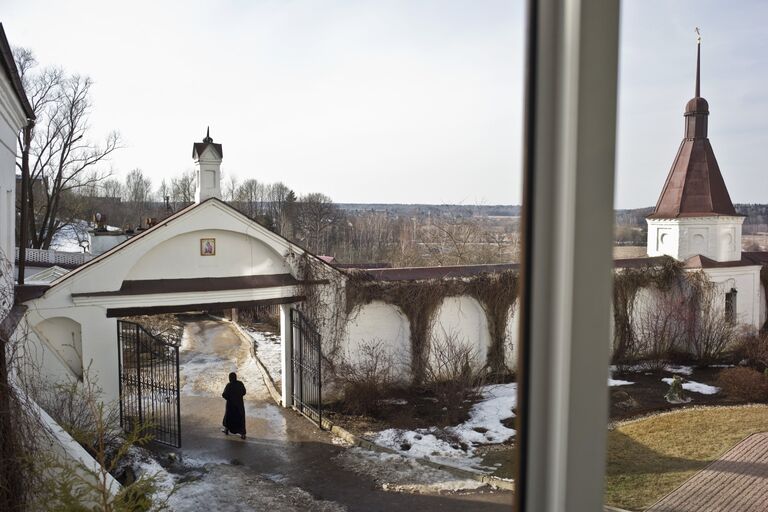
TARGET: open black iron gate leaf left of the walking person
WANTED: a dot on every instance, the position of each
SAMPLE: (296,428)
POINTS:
(149,383)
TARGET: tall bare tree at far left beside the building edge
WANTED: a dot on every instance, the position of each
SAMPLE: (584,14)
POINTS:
(59,151)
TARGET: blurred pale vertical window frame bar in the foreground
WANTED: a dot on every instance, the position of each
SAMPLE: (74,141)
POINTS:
(570,134)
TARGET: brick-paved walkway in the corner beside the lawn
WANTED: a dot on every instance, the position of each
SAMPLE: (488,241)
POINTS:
(737,481)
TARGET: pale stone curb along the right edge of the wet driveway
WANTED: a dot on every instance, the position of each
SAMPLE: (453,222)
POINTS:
(354,440)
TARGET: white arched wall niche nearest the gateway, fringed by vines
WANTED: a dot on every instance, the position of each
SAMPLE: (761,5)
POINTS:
(379,322)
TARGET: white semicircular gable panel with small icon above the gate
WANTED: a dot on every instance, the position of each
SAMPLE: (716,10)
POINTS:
(237,254)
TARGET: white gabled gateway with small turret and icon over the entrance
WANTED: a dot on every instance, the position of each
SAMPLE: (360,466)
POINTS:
(208,256)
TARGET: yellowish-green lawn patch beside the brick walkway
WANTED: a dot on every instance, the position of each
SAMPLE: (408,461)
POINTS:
(649,458)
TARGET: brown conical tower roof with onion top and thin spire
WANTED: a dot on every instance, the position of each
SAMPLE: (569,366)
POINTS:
(694,186)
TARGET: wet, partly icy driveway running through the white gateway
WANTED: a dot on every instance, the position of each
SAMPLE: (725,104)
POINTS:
(281,445)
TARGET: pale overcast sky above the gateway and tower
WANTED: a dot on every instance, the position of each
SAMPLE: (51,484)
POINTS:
(391,101)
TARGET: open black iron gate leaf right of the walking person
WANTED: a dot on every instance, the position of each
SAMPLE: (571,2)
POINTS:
(306,361)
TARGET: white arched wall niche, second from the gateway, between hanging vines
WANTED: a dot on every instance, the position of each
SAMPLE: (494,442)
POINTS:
(463,319)
